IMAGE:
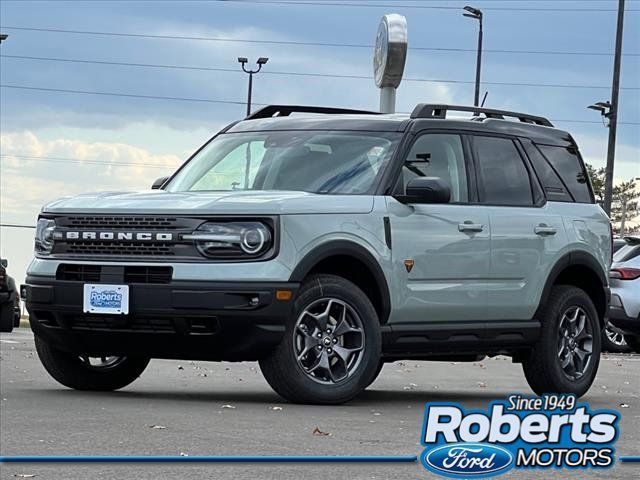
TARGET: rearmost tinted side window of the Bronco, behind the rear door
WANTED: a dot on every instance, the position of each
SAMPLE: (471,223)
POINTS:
(567,164)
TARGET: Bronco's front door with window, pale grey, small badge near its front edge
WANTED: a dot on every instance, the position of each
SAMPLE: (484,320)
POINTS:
(440,252)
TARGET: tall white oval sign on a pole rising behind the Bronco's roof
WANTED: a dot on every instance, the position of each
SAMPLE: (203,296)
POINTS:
(389,58)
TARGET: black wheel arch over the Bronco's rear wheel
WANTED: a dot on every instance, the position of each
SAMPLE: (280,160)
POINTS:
(582,270)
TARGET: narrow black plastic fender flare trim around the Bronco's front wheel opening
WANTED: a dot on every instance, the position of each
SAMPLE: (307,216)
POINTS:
(351,249)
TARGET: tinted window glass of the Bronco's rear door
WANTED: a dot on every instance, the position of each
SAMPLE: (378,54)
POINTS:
(504,179)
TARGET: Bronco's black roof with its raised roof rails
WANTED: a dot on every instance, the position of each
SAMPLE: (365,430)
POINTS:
(538,129)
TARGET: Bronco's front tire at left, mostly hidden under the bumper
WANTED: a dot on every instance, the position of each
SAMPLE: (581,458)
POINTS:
(87,373)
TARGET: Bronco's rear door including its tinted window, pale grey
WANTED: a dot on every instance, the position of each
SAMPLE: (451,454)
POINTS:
(526,236)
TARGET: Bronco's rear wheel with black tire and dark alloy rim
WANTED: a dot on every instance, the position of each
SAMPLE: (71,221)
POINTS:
(566,357)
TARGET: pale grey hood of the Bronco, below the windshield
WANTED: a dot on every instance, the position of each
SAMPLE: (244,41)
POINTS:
(204,203)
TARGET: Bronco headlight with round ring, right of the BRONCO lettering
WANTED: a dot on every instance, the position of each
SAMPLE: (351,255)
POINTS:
(232,240)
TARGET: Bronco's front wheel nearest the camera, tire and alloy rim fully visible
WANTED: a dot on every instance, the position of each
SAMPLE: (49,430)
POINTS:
(331,348)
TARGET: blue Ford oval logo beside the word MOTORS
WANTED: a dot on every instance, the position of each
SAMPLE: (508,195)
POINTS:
(468,460)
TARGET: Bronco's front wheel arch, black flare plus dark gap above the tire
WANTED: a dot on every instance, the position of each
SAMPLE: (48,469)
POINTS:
(353,262)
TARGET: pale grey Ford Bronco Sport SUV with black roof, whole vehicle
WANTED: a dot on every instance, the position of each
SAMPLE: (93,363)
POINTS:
(324,242)
